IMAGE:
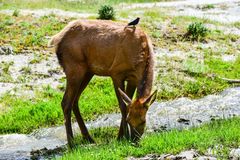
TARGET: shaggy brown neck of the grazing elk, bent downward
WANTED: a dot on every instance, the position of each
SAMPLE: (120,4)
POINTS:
(145,85)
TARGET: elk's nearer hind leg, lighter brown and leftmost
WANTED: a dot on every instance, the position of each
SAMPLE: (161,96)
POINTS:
(74,78)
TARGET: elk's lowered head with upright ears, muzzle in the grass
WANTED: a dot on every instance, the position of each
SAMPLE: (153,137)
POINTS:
(136,113)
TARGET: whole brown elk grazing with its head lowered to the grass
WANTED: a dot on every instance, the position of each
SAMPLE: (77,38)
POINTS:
(92,47)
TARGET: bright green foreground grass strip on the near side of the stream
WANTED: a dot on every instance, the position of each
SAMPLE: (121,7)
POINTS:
(224,133)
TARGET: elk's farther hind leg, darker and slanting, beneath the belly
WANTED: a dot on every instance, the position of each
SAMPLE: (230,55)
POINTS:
(76,111)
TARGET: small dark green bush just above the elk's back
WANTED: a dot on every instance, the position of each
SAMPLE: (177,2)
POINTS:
(106,12)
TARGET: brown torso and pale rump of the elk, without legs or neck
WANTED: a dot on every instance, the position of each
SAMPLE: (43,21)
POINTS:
(104,46)
